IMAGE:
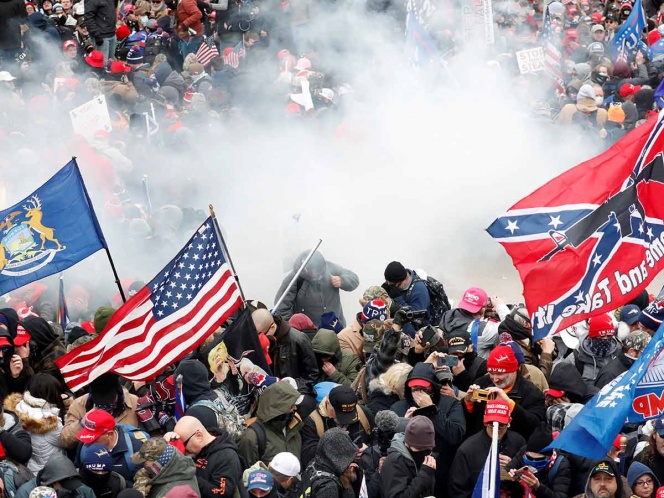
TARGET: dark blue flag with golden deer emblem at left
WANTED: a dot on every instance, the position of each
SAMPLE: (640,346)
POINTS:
(49,231)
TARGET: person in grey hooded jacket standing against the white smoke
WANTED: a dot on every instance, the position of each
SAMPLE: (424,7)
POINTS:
(316,290)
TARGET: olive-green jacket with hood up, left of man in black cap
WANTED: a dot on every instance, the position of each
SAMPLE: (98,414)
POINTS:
(275,401)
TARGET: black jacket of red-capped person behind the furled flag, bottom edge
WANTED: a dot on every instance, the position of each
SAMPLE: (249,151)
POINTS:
(471,456)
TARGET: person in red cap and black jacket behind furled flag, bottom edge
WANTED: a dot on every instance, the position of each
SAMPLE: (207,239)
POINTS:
(472,454)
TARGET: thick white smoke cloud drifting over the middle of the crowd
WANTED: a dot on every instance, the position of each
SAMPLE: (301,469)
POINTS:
(428,158)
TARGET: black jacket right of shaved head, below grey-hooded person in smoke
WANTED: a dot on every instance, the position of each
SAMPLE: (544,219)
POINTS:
(293,356)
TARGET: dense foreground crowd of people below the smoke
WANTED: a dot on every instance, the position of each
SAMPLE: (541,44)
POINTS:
(399,400)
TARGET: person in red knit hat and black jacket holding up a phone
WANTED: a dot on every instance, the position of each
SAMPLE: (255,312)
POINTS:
(504,378)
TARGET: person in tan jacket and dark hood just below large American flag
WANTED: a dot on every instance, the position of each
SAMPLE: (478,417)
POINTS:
(106,393)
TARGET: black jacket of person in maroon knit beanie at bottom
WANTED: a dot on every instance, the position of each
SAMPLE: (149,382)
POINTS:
(400,477)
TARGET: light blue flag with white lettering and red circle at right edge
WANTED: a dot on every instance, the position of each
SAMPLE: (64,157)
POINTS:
(632,397)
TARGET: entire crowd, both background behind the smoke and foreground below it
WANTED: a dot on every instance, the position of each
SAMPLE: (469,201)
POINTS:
(398,397)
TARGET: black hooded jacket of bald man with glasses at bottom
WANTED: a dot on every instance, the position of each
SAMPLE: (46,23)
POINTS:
(219,468)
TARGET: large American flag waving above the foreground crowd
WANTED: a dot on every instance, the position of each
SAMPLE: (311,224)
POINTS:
(169,317)
